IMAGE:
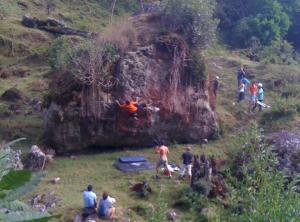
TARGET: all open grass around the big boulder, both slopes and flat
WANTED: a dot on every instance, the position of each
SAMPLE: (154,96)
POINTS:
(25,49)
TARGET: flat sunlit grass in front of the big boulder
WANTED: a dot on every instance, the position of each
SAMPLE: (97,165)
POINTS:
(97,169)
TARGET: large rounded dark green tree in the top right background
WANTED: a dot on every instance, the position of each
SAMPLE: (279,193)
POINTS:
(267,20)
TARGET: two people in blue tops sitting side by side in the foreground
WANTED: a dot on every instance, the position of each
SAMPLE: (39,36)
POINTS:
(105,208)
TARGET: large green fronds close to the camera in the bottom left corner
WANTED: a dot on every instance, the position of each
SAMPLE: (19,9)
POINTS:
(14,184)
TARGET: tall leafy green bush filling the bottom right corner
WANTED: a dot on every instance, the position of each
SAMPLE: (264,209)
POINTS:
(263,194)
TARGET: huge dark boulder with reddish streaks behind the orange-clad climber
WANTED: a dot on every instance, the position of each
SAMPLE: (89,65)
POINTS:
(179,112)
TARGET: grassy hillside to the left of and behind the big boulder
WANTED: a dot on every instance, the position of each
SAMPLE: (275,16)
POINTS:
(26,50)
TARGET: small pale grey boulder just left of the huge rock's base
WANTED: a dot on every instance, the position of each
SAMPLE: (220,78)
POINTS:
(36,159)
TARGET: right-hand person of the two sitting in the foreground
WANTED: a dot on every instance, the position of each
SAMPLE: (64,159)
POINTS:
(105,208)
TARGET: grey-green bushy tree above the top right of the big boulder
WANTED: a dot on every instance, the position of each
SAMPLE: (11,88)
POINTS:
(193,18)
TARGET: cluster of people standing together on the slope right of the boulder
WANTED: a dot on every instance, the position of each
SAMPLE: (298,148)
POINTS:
(255,89)
